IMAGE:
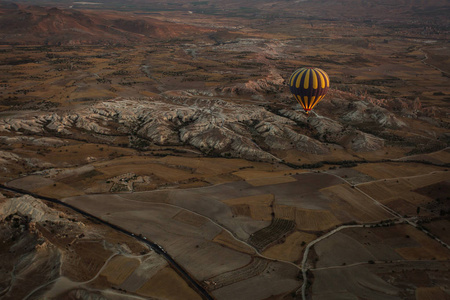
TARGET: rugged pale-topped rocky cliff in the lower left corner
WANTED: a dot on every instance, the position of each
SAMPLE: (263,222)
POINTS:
(28,257)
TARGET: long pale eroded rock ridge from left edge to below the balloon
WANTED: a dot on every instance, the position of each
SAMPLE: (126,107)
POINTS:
(212,125)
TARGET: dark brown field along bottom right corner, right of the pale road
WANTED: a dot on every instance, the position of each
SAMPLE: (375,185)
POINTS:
(381,280)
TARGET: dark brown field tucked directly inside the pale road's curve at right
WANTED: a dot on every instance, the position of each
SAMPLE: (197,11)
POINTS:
(379,244)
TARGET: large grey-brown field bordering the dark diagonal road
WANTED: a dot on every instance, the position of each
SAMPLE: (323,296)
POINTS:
(191,246)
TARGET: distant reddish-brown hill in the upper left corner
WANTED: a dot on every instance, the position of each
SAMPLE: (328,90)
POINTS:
(21,24)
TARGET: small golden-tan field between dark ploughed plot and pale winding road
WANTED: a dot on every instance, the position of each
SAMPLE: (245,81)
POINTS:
(292,248)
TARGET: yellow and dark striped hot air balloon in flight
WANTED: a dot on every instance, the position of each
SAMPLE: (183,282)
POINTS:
(309,86)
